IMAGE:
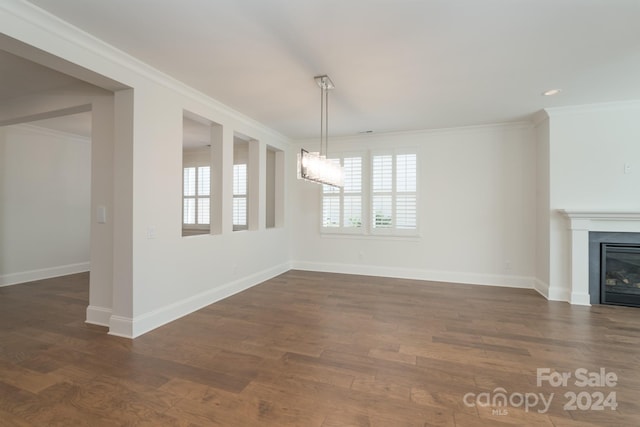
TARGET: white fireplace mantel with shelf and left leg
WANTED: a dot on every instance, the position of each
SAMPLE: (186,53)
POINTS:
(581,223)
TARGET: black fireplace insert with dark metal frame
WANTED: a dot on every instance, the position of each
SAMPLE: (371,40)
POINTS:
(620,274)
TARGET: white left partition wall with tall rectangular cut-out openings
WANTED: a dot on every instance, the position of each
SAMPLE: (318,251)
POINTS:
(174,275)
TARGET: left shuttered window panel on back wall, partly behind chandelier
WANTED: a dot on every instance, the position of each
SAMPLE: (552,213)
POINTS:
(342,208)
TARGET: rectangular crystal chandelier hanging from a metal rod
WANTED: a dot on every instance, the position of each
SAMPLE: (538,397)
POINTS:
(314,166)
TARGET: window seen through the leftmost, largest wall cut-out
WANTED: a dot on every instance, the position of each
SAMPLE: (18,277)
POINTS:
(196,191)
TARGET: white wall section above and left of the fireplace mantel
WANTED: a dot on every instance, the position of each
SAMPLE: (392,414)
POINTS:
(589,147)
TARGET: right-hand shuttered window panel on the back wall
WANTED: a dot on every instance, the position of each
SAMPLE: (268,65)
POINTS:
(394,195)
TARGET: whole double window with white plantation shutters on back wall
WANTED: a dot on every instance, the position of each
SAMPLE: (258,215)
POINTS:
(380,200)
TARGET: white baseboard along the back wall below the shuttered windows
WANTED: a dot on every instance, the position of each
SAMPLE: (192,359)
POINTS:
(509,281)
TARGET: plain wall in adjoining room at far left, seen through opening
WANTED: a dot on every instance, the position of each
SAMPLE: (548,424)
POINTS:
(45,178)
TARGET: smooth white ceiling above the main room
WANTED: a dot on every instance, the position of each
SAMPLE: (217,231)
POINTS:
(396,64)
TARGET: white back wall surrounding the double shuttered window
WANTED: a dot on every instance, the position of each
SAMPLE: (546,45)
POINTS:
(477,214)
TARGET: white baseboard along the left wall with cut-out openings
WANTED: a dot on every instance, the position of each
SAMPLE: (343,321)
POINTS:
(132,328)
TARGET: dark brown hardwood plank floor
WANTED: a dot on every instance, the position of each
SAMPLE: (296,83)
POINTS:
(314,349)
